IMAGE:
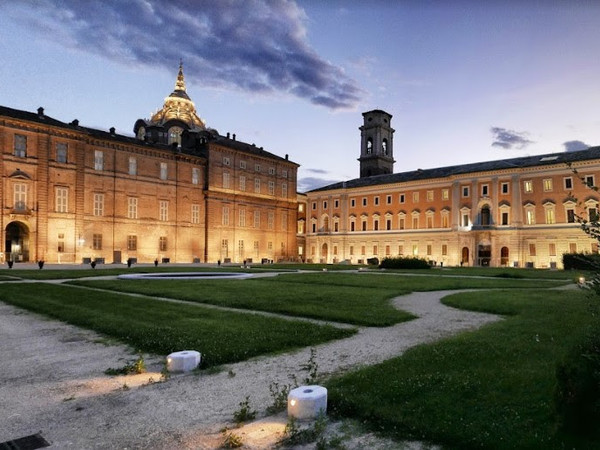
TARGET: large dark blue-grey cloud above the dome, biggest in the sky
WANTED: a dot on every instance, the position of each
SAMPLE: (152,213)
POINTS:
(259,46)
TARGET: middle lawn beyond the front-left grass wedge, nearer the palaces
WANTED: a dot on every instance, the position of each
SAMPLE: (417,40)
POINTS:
(355,298)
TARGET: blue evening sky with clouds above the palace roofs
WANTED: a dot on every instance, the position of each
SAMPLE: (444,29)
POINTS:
(465,80)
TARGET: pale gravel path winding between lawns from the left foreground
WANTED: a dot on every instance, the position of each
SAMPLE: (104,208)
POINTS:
(52,381)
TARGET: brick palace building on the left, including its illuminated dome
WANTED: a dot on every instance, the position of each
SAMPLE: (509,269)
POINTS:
(176,192)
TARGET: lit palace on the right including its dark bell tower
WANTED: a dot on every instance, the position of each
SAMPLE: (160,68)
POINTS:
(519,212)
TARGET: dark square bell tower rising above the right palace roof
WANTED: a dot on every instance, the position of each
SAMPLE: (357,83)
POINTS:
(376,144)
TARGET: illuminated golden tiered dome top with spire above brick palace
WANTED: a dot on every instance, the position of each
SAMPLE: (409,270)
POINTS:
(178,106)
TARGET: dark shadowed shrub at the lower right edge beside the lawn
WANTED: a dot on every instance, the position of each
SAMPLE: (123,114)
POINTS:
(577,396)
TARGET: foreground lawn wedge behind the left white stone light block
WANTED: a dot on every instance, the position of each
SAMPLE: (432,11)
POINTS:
(161,327)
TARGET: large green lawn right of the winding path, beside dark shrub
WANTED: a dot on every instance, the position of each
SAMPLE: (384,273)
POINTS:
(491,388)
